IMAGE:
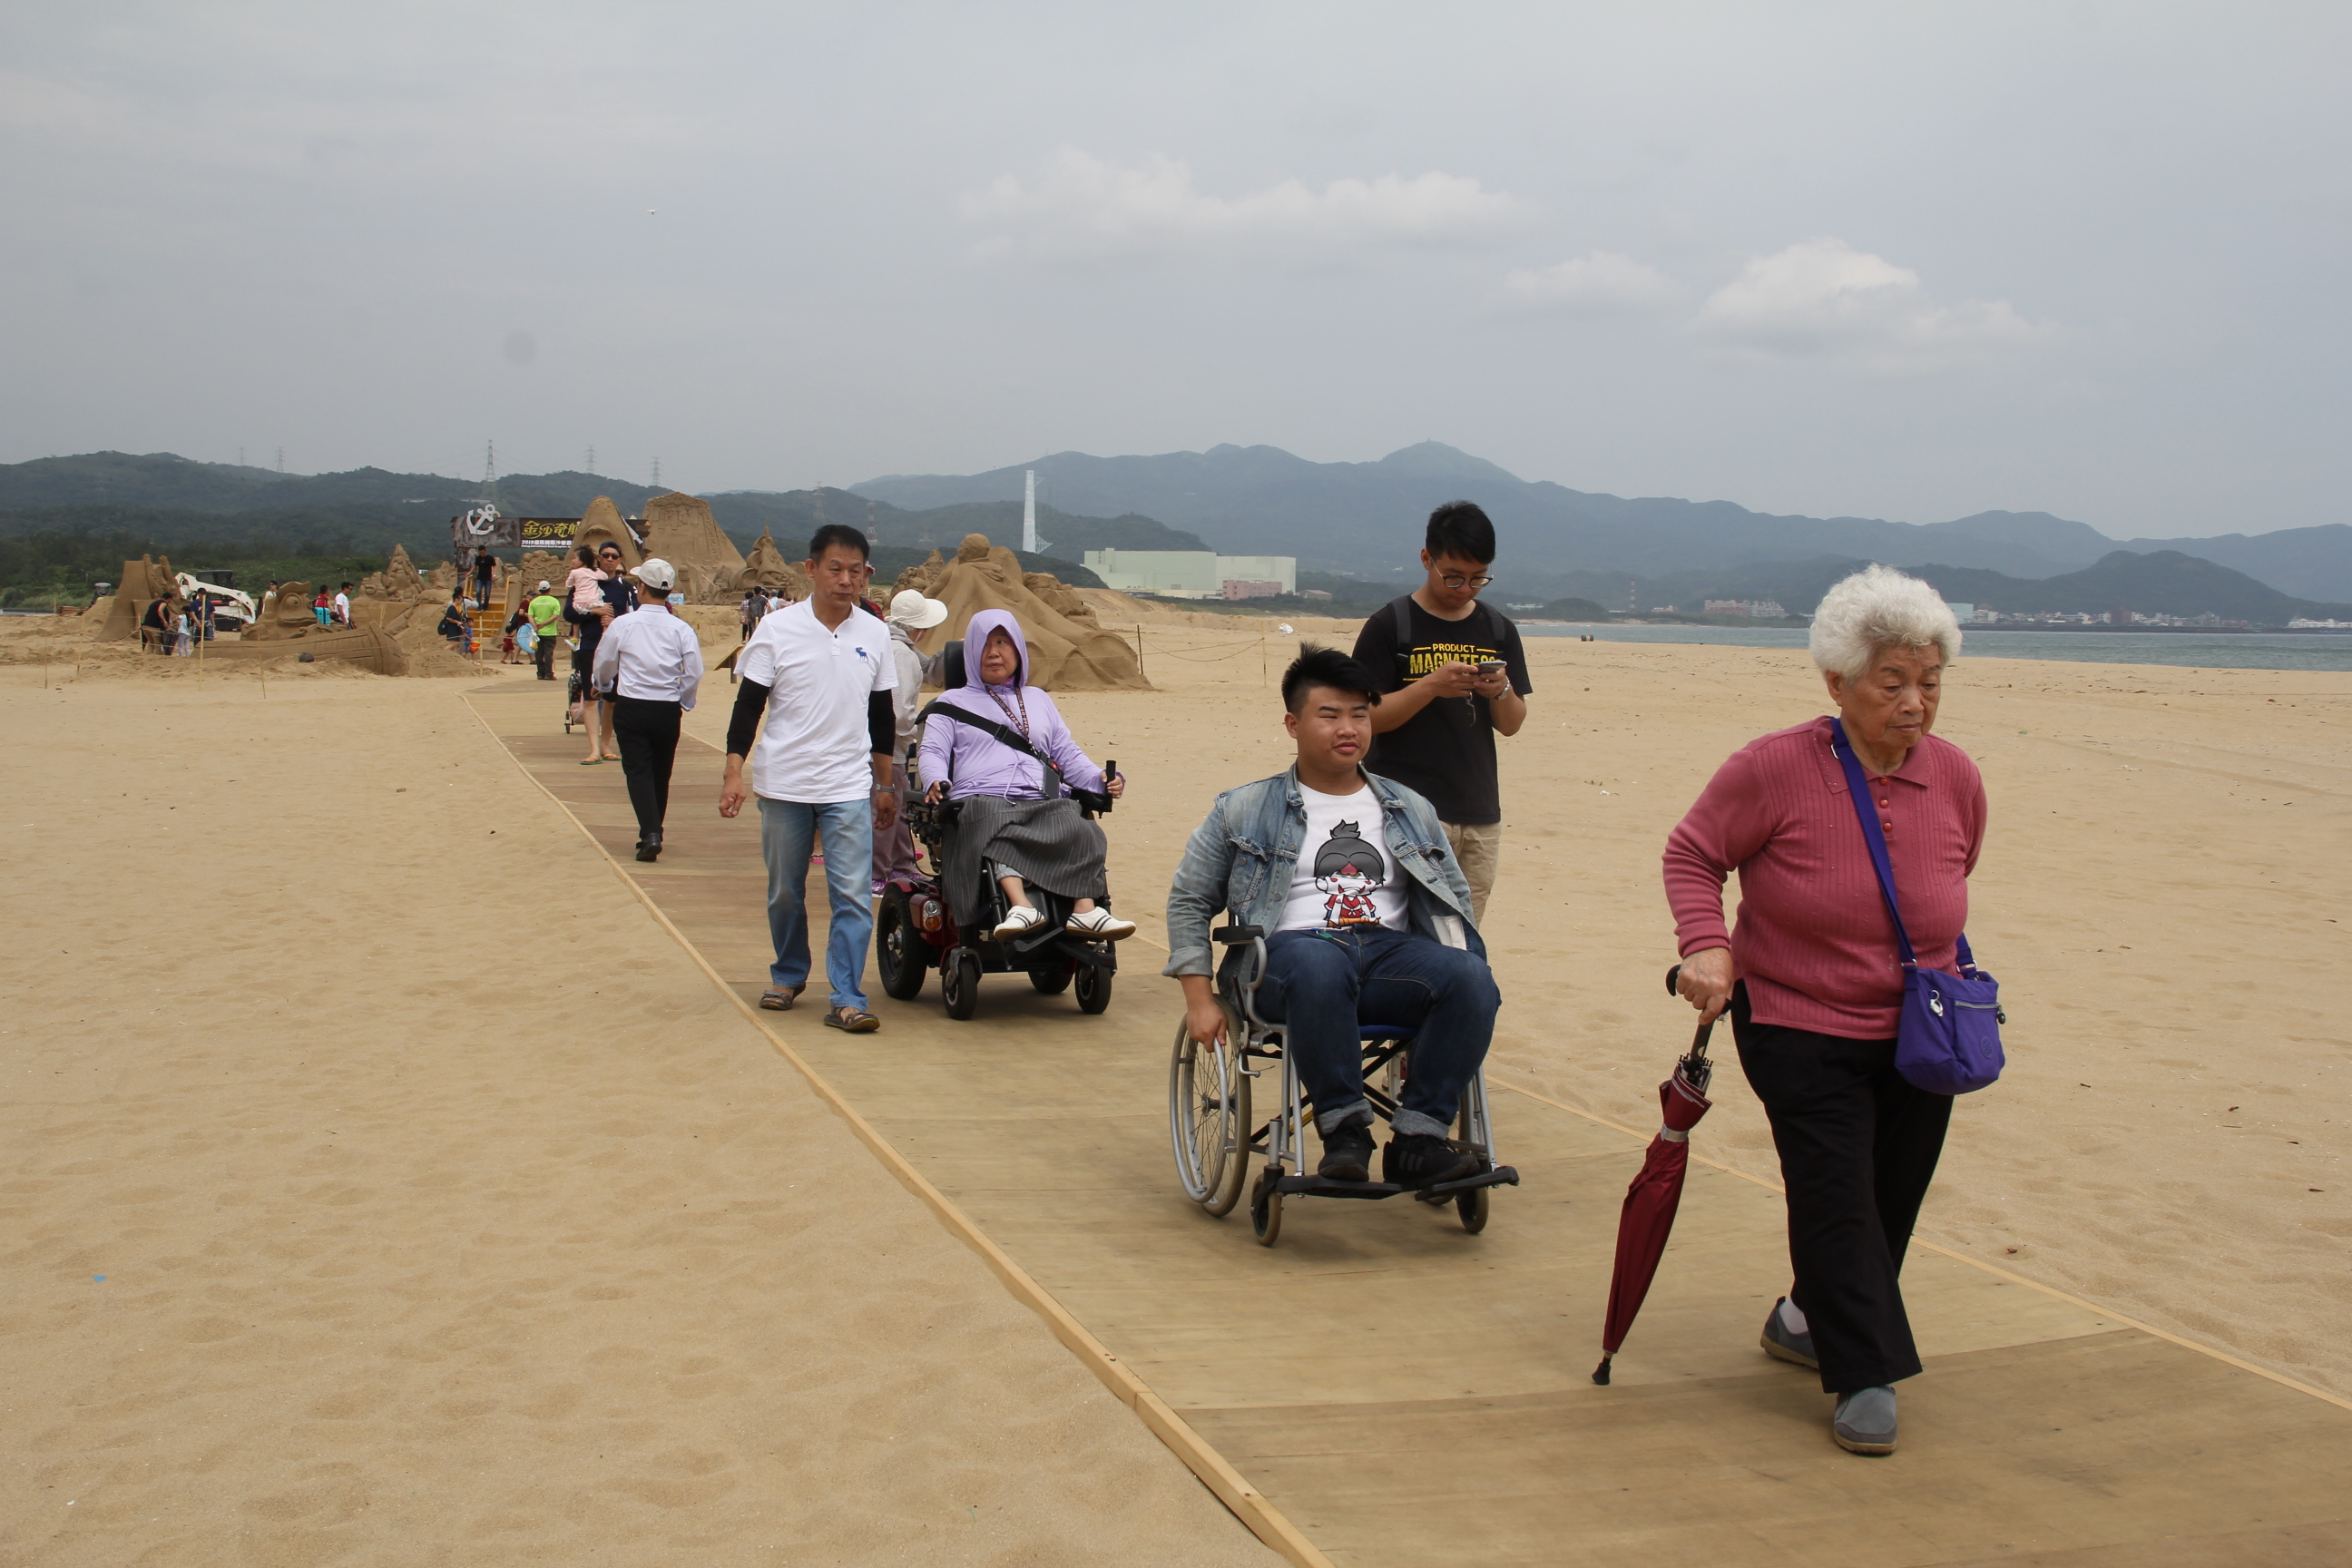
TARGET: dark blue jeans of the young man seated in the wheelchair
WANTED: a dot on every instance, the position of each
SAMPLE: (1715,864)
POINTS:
(1321,984)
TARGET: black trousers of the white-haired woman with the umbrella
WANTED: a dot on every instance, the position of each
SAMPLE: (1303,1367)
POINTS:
(1859,1148)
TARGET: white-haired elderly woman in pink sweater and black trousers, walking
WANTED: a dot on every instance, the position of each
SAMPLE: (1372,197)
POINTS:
(1815,984)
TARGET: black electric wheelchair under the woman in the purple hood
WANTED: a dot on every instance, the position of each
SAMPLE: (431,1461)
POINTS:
(916,925)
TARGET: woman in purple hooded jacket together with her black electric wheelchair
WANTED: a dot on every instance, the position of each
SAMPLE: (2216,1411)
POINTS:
(1017,857)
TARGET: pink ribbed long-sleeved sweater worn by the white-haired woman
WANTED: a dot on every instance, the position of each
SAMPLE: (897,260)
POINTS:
(1815,942)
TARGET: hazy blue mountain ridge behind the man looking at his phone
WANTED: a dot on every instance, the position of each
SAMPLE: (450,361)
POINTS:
(1368,518)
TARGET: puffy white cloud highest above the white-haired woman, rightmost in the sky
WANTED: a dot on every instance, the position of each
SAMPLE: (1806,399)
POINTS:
(1829,302)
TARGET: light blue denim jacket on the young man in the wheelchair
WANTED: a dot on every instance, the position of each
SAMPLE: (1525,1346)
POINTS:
(1245,852)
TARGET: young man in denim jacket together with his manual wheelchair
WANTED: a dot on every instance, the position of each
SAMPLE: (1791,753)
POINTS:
(1351,958)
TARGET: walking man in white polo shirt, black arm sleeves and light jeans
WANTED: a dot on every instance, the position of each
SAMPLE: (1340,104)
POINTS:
(822,676)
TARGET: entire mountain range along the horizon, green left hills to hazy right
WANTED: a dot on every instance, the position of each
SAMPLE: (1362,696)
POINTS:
(1356,528)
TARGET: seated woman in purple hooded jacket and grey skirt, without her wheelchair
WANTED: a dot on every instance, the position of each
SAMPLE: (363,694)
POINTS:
(1008,817)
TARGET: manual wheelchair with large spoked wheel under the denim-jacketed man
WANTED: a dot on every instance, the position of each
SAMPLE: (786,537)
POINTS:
(1210,1120)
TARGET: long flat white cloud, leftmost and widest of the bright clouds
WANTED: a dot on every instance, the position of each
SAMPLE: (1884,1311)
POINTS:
(1088,208)
